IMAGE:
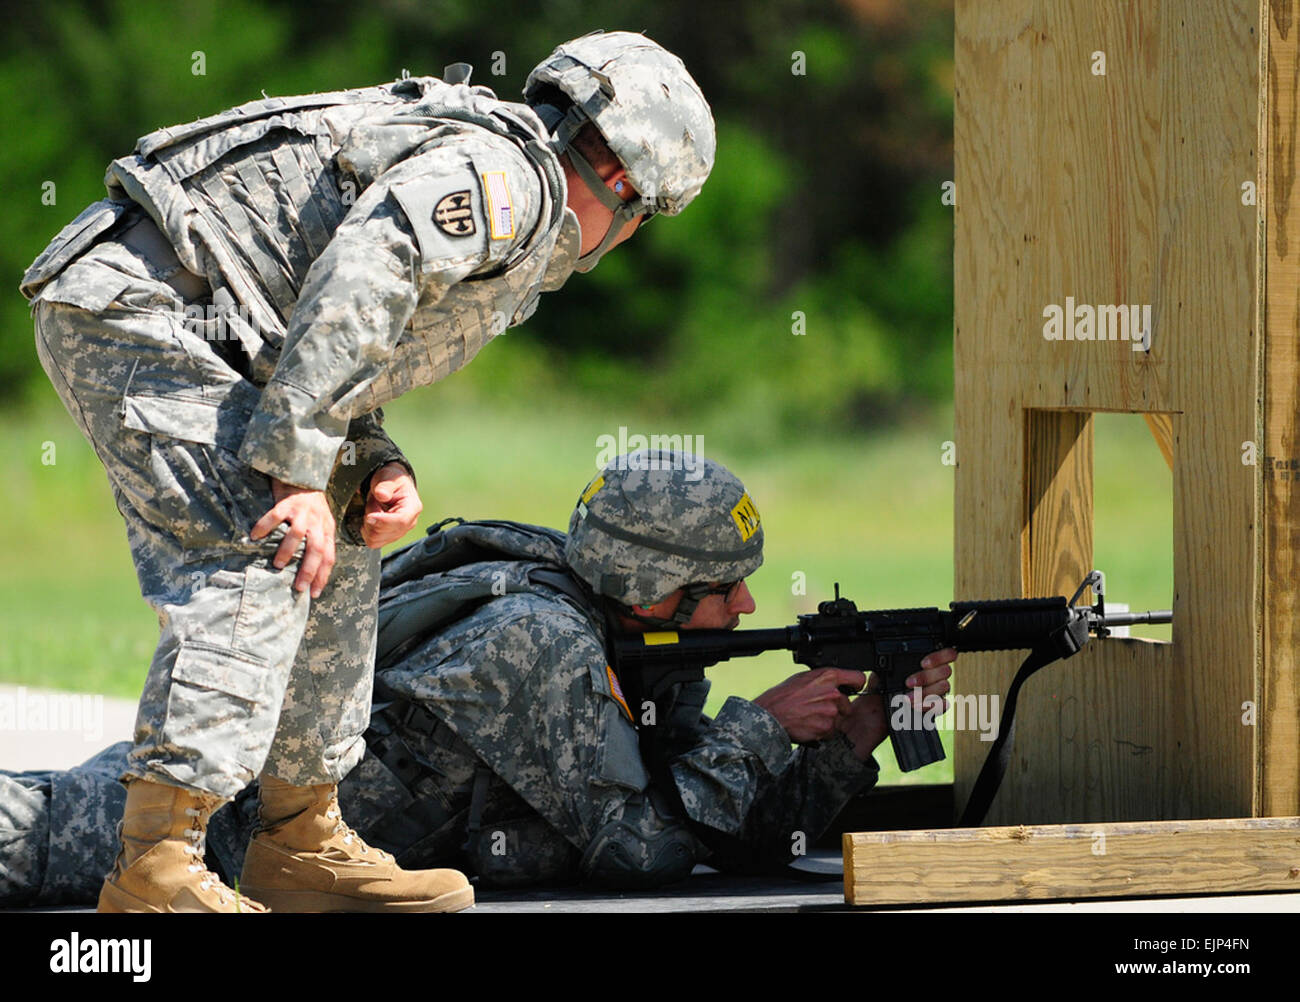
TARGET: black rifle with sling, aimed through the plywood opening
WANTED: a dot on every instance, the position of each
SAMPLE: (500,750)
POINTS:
(891,644)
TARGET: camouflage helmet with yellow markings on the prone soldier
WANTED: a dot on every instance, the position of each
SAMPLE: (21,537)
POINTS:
(657,520)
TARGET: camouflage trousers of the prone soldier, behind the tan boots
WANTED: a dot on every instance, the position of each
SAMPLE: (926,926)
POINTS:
(59,829)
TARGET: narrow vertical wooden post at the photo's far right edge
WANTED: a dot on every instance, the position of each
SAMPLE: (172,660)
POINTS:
(1279,777)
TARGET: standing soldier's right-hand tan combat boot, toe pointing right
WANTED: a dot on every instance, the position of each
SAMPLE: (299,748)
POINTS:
(304,858)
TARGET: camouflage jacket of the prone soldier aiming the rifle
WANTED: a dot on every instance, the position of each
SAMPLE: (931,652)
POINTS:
(525,682)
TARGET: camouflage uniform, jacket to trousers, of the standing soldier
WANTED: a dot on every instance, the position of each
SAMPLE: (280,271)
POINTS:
(257,285)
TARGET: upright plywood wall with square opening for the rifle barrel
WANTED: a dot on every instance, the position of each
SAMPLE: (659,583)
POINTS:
(1126,189)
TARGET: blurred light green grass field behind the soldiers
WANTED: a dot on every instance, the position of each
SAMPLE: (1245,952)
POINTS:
(874,514)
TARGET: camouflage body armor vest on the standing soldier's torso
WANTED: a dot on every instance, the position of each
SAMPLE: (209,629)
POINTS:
(252,197)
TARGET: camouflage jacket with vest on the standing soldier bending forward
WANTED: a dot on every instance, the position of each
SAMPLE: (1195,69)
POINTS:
(358,245)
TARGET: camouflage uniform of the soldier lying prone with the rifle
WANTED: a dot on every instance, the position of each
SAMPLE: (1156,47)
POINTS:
(515,700)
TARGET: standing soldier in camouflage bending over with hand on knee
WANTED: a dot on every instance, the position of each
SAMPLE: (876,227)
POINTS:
(224,329)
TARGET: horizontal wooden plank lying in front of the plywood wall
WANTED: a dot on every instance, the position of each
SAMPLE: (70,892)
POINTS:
(1091,861)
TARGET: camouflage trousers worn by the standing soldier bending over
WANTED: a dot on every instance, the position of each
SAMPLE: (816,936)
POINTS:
(249,674)
